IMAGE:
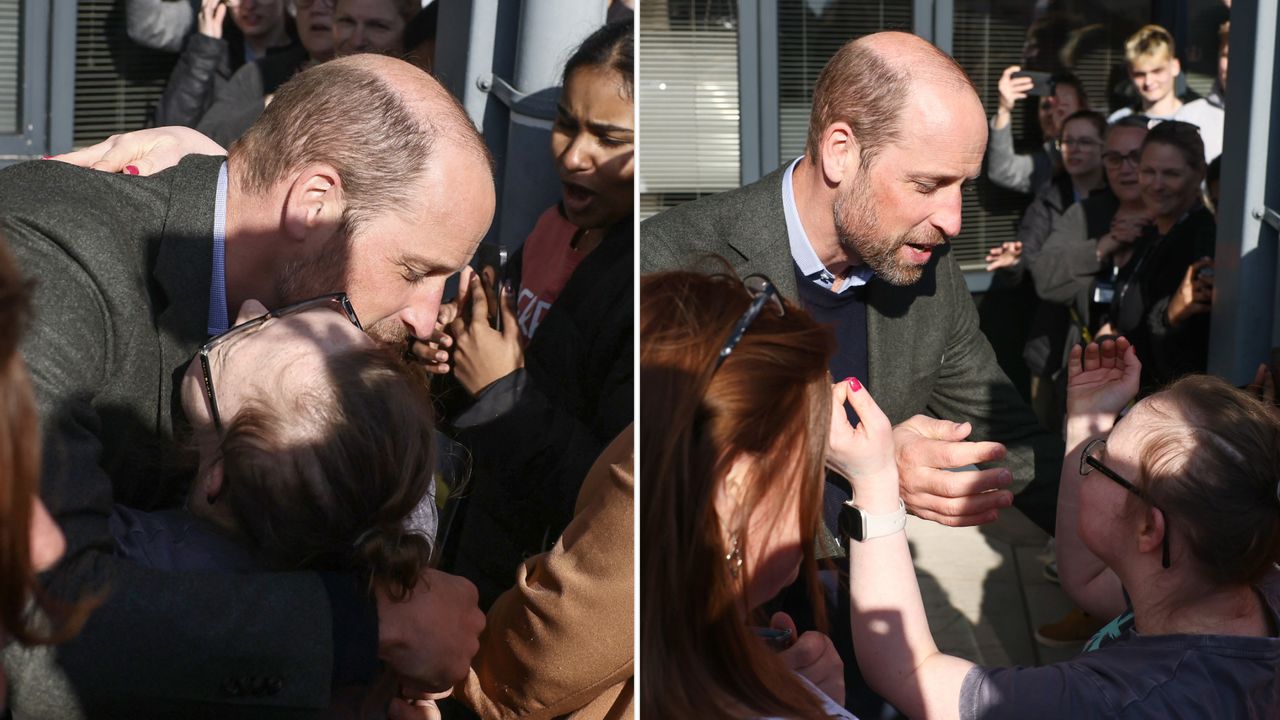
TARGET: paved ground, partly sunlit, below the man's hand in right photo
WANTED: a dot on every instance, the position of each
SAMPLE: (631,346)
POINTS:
(985,591)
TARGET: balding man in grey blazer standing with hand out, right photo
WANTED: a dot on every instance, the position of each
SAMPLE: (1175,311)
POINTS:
(857,233)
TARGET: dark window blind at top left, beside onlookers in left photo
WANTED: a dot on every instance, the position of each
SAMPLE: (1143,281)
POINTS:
(117,80)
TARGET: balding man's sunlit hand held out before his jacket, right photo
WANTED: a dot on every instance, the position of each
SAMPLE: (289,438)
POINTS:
(926,448)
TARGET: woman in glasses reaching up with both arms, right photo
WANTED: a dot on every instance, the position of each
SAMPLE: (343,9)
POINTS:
(1171,522)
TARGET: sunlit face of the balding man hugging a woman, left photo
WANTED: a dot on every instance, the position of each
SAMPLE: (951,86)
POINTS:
(397,265)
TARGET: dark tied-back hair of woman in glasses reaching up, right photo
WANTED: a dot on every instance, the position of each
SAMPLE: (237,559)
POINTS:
(1214,466)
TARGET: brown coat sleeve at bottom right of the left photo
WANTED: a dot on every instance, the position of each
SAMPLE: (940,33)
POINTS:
(561,641)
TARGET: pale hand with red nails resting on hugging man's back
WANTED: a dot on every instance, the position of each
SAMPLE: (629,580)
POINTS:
(143,153)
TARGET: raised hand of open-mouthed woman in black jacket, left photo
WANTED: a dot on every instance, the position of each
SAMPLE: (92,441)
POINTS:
(482,354)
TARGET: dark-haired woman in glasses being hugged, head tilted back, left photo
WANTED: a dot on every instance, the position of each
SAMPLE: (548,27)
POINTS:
(314,453)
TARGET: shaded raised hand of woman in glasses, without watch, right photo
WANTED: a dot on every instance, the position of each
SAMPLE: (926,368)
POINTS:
(1101,380)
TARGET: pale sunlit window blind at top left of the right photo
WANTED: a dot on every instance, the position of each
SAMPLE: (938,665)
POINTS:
(689,102)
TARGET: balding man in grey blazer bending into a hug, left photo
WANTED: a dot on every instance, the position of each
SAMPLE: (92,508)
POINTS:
(363,176)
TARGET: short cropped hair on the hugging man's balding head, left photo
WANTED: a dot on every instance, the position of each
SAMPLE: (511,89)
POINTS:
(344,113)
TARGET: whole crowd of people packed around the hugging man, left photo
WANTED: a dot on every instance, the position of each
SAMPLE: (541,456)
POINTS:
(248,450)
